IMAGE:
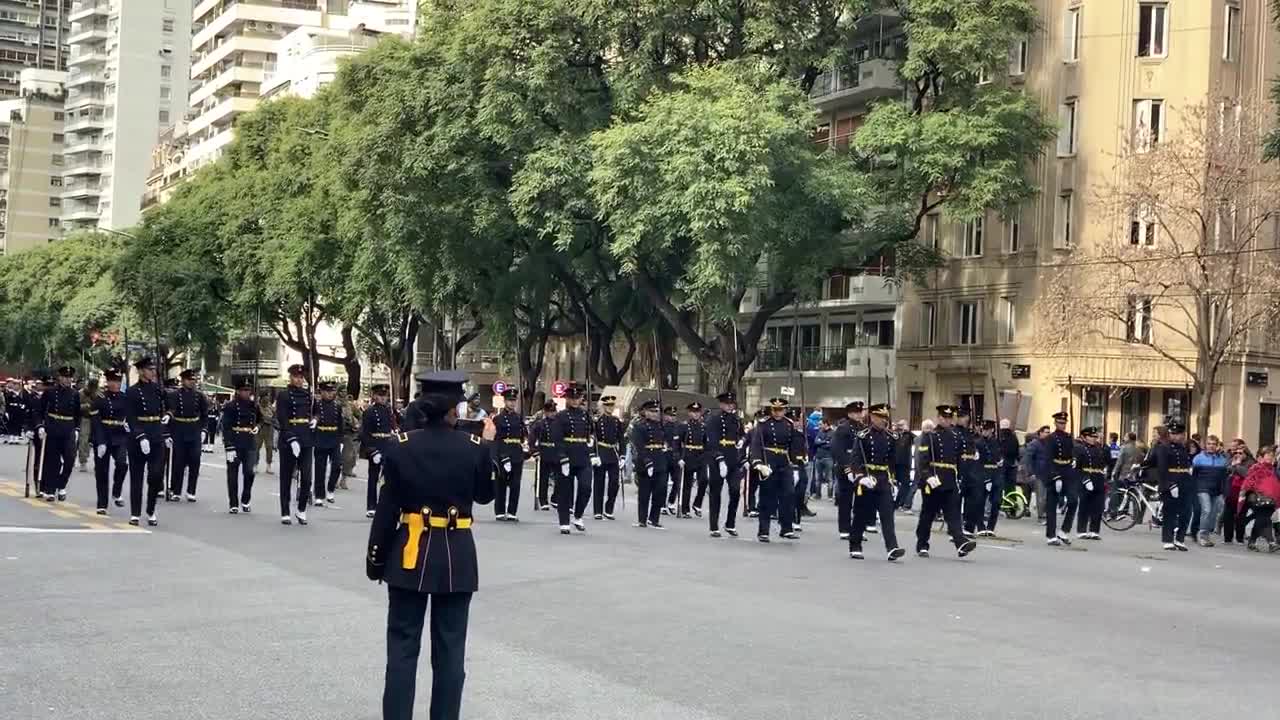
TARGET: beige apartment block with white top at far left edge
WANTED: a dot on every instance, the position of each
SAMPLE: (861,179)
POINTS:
(31,147)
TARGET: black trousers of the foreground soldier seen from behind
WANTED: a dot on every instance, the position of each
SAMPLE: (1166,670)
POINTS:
(406,614)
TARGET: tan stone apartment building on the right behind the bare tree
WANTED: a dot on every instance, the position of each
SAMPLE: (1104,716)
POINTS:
(1107,70)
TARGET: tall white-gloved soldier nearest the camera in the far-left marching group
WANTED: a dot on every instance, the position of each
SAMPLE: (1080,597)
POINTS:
(145,402)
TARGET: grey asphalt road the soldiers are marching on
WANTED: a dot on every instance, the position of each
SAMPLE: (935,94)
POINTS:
(232,618)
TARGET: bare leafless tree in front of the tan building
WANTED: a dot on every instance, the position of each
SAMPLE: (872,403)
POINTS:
(1185,267)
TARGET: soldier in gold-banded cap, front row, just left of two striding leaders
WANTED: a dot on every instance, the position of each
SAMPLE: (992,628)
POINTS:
(774,449)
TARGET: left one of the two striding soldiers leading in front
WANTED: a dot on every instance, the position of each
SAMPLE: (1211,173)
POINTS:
(875,484)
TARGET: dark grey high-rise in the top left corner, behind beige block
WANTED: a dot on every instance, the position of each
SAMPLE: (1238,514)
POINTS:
(33,35)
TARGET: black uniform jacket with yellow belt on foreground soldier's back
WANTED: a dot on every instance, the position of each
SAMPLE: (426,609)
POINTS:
(441,475)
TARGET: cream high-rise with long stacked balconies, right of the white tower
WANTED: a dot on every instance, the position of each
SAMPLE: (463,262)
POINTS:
(236,45)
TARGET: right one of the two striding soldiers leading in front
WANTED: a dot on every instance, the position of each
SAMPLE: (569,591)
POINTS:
(939,470)
